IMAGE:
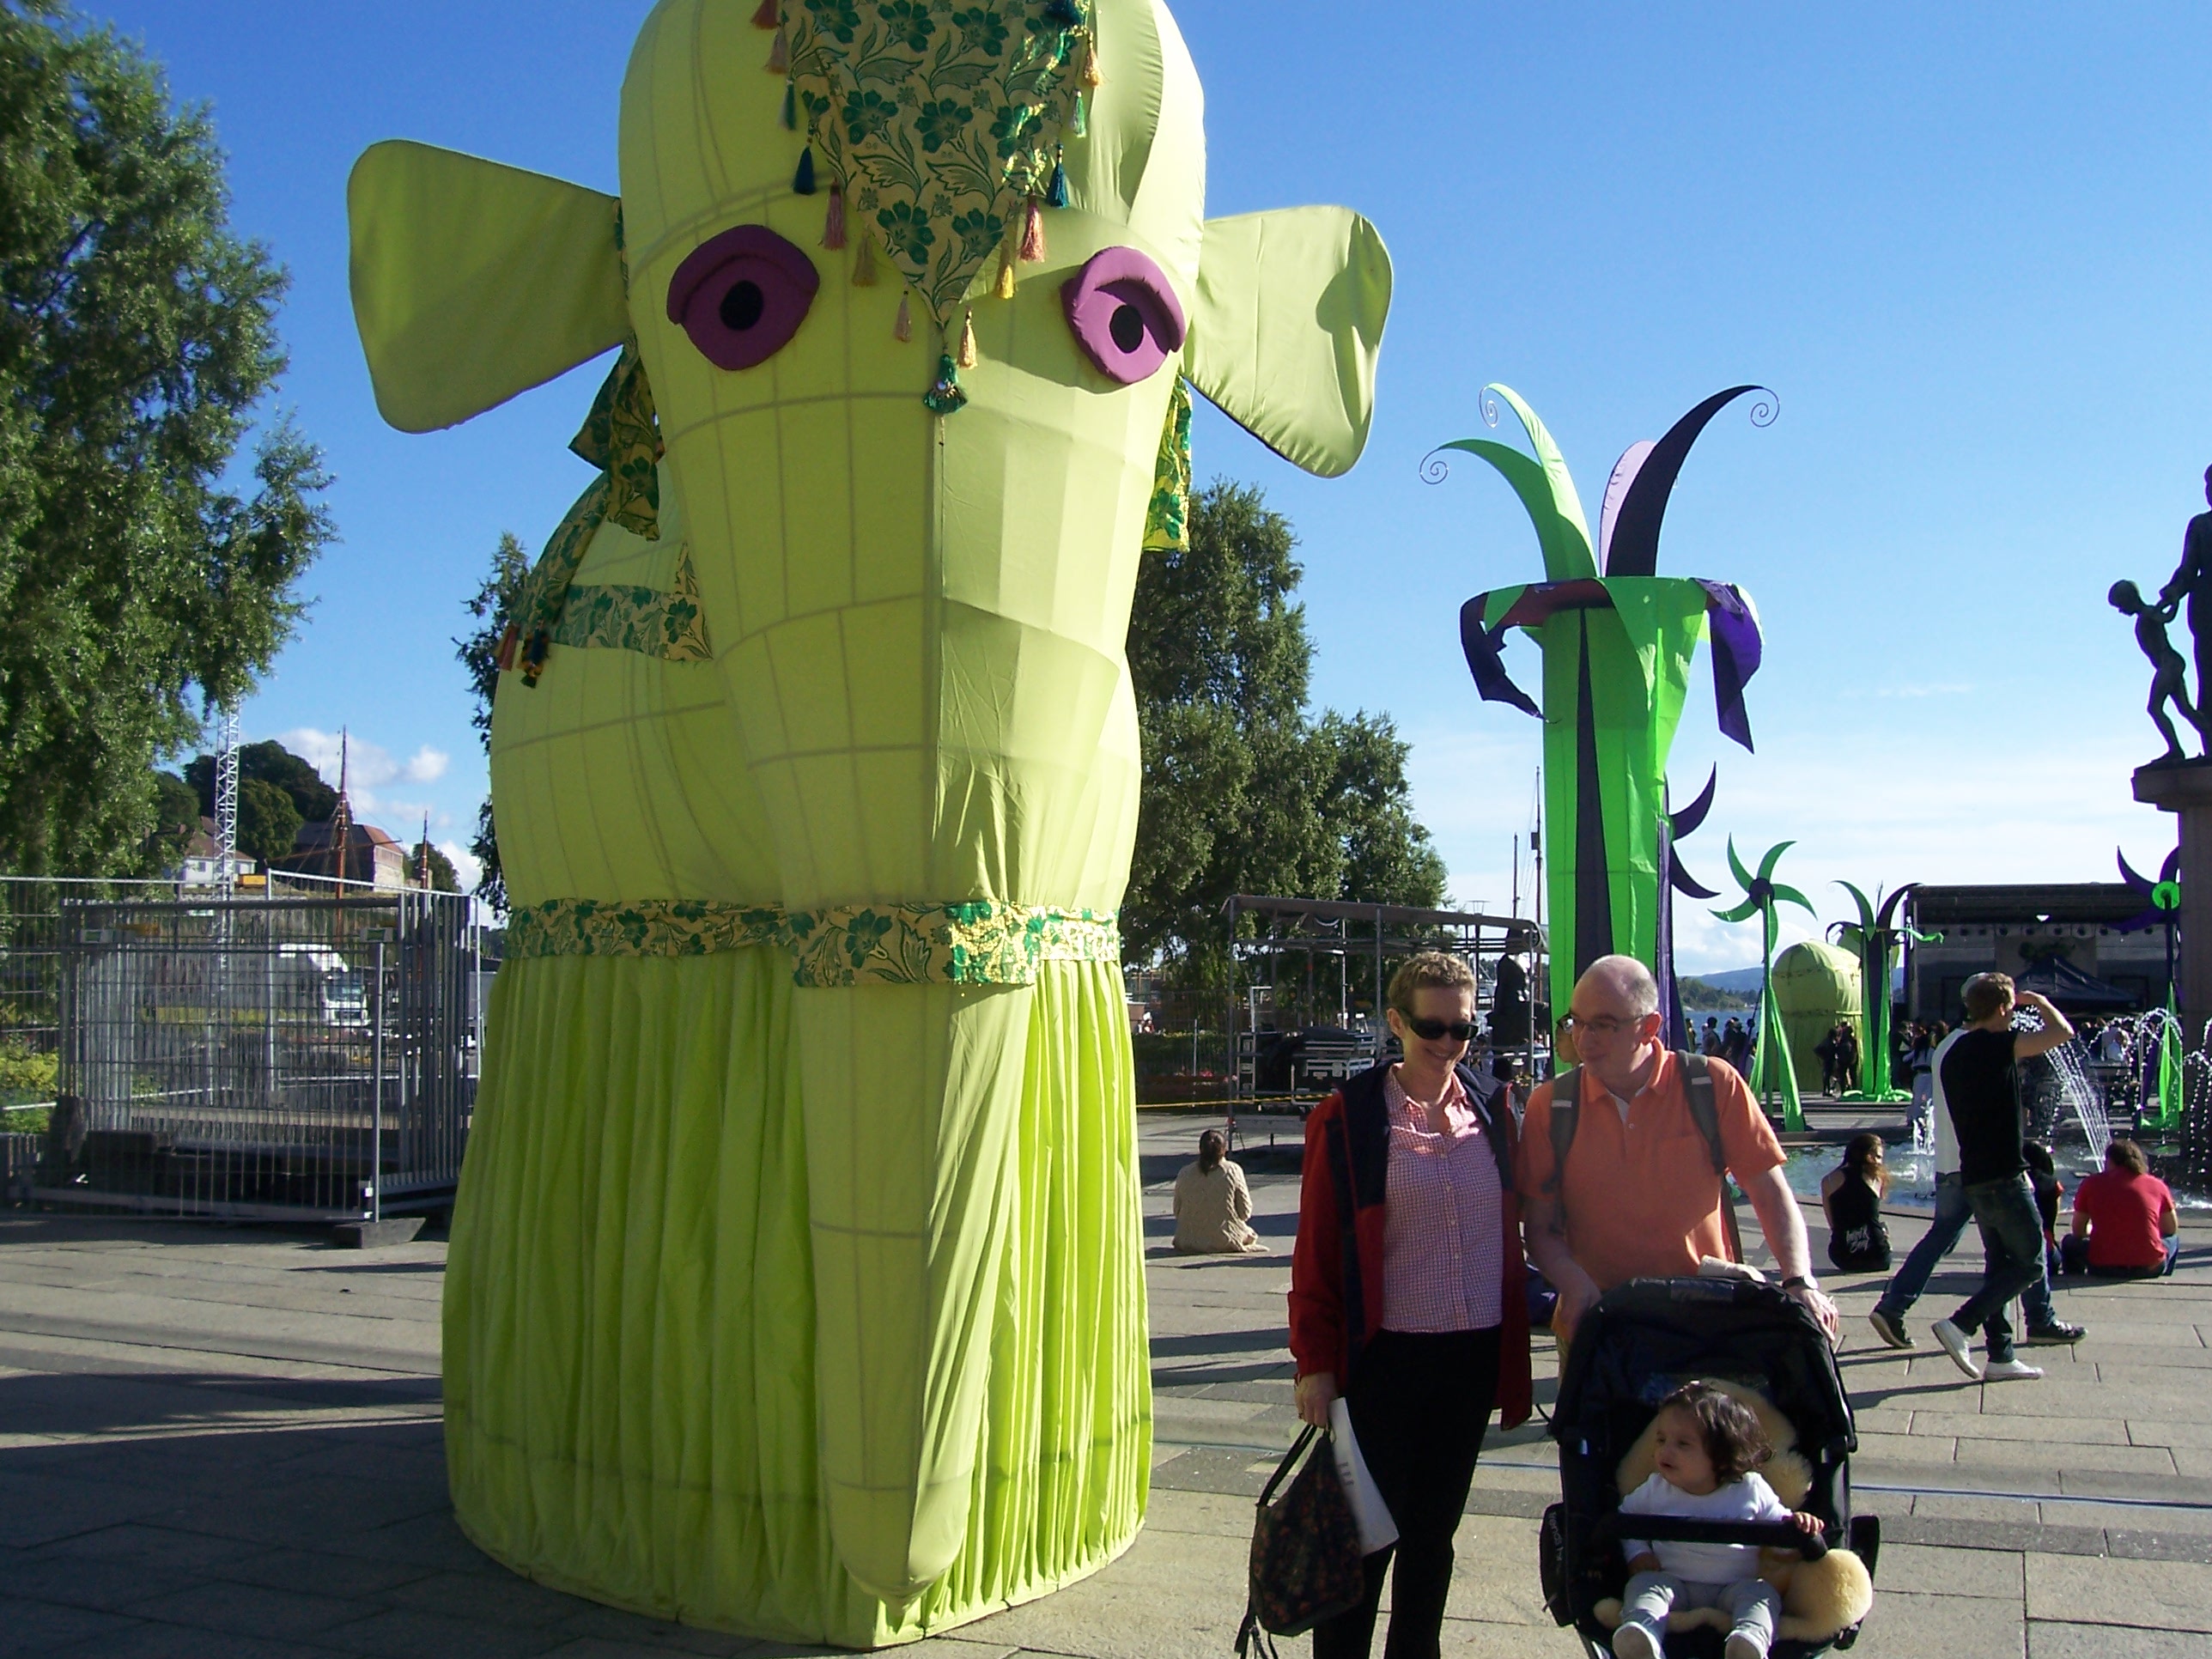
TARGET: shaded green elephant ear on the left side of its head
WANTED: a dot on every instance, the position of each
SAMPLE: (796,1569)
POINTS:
(474,282)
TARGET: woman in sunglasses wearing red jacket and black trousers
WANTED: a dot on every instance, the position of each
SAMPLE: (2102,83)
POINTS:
(1415,1302)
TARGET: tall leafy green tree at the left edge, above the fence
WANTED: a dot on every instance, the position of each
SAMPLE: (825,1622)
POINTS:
(136,340)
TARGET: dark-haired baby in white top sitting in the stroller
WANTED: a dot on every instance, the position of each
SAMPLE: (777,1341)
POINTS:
(1709,1457)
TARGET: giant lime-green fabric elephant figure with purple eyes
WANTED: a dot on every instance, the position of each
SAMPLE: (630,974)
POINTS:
(797,1269)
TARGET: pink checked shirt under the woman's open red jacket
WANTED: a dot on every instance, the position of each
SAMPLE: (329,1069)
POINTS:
(1443,1251)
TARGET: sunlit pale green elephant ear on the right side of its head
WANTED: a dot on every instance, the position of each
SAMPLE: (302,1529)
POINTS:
(1288,328)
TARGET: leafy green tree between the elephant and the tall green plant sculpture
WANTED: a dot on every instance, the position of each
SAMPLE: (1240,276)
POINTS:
(1242,789)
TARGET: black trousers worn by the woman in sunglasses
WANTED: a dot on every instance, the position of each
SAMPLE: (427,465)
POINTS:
(1419,1408)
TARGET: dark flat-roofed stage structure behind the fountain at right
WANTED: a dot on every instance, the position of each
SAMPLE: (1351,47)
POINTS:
(2005,930)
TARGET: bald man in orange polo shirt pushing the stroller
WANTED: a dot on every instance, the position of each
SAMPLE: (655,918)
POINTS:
(1640,1196)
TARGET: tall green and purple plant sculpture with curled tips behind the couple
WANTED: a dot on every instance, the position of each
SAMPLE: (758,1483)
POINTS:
(1618,645)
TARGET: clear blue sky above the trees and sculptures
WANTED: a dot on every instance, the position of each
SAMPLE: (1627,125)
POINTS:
(1968,247)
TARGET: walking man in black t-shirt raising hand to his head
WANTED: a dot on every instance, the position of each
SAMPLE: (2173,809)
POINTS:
(1981,1087)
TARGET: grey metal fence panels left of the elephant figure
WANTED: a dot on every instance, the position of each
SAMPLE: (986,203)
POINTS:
(302,1056)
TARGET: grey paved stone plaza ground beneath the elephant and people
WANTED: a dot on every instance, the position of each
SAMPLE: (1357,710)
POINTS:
(225,1441)
